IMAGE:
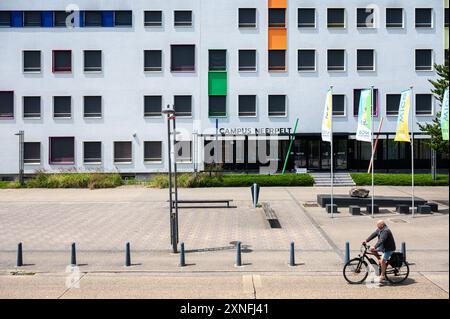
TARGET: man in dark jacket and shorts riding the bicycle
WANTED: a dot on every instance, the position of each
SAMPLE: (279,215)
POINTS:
(385,245)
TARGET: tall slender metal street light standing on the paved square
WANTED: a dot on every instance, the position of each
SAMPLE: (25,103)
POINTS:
(170,112)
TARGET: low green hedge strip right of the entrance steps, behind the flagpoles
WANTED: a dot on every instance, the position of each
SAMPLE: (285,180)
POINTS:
(363,179)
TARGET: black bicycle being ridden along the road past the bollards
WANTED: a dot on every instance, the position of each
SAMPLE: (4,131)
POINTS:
(357,269)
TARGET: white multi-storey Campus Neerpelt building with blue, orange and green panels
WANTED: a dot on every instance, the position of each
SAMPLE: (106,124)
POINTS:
(87,82)
